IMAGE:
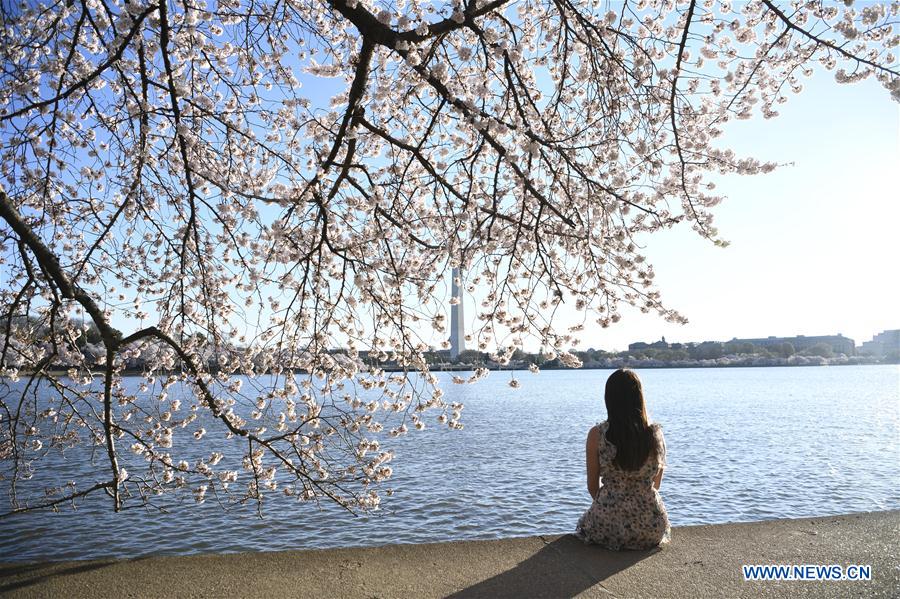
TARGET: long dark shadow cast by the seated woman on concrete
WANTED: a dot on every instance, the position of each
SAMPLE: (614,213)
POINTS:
(563,568)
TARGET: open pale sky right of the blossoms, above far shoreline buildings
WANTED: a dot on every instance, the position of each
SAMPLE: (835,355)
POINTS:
(814,246)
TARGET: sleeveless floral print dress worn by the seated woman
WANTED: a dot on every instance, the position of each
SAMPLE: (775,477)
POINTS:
(628,512)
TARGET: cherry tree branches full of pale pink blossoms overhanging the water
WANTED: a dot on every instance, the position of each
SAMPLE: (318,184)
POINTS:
(259,201)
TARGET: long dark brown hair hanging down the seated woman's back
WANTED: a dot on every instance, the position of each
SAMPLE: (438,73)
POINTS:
(629,429)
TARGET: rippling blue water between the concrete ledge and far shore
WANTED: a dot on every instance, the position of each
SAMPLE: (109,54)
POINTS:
(743,444)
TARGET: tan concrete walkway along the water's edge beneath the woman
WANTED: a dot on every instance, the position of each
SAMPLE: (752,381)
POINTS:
(701,561)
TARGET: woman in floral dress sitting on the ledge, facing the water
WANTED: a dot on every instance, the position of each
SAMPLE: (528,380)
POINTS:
(629,454)
